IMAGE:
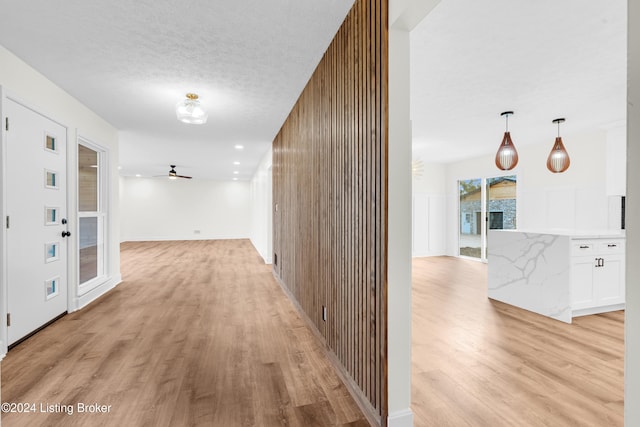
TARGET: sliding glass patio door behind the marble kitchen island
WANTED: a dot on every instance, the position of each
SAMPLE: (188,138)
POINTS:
(484,204)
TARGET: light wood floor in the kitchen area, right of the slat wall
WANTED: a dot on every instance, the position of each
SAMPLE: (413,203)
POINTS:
(477,362)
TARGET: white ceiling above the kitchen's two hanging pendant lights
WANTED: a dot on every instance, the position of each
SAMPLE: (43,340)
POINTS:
(472,60)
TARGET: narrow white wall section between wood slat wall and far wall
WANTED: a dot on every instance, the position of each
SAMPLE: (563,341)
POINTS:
(261,209)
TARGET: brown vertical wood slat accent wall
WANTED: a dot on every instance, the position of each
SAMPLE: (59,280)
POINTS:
(329,195)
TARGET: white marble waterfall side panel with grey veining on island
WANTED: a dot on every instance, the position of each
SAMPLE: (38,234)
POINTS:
(531,271)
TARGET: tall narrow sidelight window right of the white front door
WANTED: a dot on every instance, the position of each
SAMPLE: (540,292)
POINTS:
(91,217)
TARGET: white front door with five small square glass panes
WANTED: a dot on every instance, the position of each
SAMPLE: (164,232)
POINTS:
(36,208)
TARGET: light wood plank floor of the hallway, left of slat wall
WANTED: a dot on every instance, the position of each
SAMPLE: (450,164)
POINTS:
(198,334)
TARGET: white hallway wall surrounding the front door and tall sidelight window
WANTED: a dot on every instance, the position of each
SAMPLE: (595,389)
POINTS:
(22,82)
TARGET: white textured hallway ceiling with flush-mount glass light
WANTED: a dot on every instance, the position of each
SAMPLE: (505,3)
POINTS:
(131,61)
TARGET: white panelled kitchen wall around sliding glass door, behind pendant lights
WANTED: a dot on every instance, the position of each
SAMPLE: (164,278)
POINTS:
(575,199)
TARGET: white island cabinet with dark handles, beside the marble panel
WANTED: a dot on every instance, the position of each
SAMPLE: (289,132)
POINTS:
(597,276)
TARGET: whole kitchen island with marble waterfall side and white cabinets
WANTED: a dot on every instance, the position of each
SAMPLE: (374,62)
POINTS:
(559,275)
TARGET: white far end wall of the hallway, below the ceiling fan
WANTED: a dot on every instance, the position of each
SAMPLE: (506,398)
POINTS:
(181,209)
